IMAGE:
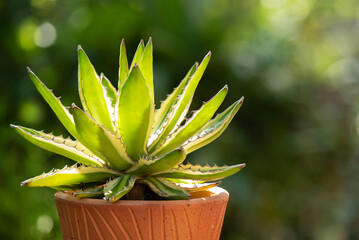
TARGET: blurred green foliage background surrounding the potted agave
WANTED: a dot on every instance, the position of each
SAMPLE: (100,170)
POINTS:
(295,61)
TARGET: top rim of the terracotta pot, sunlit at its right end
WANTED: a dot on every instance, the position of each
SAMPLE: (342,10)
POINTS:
(212,194)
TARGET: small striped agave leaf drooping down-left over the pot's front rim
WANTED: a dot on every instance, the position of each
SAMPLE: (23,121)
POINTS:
(119,187)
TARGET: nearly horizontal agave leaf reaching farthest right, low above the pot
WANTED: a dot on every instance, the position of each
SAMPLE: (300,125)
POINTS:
(197,172)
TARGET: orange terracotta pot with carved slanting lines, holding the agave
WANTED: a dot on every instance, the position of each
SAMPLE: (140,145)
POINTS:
(198,218)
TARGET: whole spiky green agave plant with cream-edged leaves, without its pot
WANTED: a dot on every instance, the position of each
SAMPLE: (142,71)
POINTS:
(123,145)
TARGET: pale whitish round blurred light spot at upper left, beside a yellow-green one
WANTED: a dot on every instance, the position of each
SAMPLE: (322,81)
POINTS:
(45,35)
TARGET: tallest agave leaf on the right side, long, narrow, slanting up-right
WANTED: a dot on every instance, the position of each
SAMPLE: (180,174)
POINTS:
(180,105)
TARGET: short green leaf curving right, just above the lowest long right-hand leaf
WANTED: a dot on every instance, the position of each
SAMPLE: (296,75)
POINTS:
(168,161)
